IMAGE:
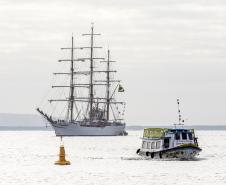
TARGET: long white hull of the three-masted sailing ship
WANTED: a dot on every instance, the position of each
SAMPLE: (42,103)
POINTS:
(77,130)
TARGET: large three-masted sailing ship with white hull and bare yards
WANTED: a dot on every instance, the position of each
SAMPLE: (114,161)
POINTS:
(91,106)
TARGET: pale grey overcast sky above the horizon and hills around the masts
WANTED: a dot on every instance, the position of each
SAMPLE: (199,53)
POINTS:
(165,49)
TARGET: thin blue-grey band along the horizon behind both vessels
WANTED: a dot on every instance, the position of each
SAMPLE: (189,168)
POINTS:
(43,128)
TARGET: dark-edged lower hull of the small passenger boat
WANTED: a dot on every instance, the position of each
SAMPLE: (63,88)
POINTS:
(180,152)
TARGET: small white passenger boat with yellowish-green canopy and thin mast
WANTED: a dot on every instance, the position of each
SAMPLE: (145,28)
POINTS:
(175,142)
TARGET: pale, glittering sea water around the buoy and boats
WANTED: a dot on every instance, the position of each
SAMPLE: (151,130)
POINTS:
(27,157)
